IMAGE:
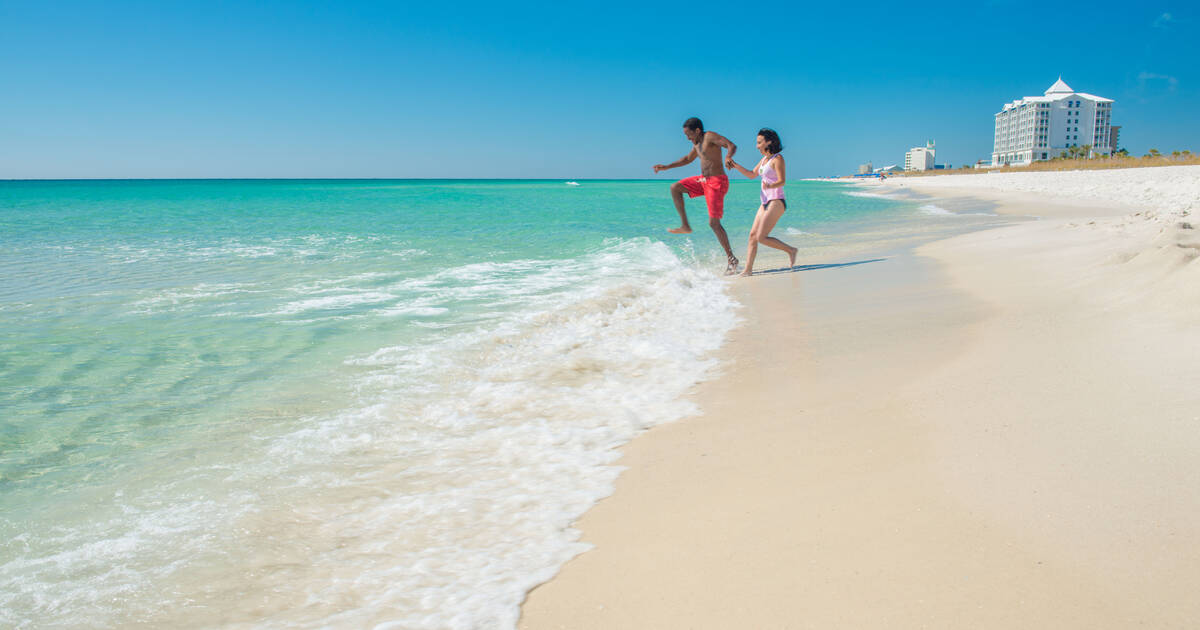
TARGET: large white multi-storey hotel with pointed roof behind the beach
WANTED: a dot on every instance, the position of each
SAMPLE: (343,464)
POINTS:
(1042,128)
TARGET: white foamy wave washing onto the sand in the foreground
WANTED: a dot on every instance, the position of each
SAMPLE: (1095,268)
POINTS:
(439,497)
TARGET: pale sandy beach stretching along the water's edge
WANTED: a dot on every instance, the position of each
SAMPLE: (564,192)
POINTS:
(997,431)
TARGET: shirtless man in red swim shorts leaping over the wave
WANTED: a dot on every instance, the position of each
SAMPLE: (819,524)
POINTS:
(712,182)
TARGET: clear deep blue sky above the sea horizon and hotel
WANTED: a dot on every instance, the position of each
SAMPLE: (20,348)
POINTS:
(267,89)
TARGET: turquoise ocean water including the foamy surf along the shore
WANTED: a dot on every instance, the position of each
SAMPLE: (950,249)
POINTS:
(351,404)
